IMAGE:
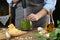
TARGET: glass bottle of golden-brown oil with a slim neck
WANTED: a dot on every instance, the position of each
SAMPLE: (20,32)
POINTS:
(50,24)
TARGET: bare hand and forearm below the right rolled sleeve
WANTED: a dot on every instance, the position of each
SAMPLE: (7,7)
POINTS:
(37,16)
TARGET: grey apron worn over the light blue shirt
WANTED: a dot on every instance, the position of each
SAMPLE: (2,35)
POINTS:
(33,6)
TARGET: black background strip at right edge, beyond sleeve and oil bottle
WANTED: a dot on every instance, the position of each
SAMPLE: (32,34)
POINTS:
(56,13)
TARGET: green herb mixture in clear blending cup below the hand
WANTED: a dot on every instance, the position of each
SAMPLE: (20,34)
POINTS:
(25,25)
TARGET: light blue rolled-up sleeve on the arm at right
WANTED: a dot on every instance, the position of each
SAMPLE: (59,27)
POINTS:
(49,5)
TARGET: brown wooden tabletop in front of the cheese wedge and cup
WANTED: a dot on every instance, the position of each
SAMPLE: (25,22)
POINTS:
(29,36)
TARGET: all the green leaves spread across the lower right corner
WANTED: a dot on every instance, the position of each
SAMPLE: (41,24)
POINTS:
(55,35)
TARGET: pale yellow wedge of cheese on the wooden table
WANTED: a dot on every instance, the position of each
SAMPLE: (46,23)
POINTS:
(14,31)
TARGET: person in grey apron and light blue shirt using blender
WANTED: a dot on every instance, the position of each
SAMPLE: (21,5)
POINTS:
(36,11)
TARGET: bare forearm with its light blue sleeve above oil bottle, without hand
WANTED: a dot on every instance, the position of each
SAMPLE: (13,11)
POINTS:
(49,6)
